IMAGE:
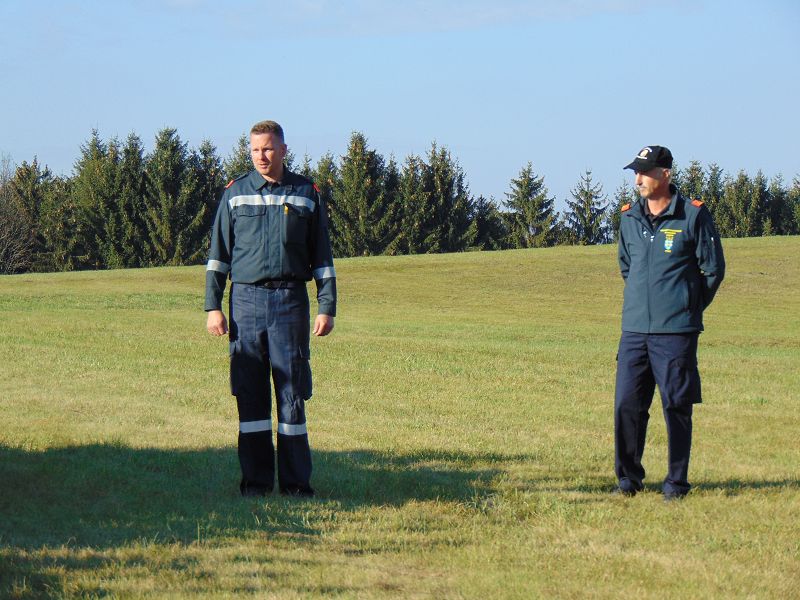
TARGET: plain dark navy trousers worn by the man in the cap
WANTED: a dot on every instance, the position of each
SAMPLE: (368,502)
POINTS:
(644,360)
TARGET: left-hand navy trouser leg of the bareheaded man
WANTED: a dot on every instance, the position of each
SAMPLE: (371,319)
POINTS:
(250,385)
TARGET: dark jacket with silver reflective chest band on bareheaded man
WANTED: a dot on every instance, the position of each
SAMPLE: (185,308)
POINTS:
(271,231)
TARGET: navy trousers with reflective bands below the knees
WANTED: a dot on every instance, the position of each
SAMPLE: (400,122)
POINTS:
(269,332)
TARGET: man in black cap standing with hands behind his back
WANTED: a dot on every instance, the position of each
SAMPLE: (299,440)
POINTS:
(671,260)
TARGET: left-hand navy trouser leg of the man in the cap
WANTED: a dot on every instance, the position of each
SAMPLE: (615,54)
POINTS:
(633,396)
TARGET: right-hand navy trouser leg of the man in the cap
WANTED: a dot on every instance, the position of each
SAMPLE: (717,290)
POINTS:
(674,363)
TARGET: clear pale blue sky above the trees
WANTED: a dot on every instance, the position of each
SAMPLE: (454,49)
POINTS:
(569,85)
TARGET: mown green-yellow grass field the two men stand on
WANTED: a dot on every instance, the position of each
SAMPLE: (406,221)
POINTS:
(461,432)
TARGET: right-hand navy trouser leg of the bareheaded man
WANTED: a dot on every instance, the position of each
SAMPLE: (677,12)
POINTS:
(287,341)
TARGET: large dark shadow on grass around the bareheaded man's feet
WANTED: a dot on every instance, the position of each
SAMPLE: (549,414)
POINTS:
(106,495)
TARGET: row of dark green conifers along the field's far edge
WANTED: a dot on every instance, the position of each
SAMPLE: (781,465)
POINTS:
(123,207)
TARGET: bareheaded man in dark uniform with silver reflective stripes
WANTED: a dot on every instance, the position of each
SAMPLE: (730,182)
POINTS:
(270,236)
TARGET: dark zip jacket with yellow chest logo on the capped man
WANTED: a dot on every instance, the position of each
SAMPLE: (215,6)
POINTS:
(672,269)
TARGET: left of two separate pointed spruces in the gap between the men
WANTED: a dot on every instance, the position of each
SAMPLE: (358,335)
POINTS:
(531,211)
